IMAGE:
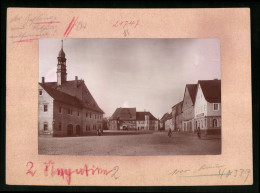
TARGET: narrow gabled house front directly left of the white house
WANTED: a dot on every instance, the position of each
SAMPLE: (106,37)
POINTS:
(188,108)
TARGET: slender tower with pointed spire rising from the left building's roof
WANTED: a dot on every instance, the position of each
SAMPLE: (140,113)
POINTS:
(61,67)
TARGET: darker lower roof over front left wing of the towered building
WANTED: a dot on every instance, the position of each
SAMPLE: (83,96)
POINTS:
(61,96)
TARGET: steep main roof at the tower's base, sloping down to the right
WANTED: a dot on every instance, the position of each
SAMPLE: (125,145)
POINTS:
(81,92)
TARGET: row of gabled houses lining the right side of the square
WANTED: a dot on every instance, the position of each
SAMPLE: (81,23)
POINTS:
(200,108)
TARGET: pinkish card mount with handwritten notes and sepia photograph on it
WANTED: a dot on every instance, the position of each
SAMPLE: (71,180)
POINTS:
(107,104)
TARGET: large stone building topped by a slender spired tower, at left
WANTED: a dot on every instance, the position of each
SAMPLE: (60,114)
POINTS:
(66,108)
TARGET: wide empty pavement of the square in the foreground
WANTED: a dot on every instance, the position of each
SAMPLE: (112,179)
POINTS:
(131,144)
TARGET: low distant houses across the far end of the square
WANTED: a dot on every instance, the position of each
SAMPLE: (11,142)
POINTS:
(130,119)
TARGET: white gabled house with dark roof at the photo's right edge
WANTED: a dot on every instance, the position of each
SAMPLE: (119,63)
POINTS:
(208,106)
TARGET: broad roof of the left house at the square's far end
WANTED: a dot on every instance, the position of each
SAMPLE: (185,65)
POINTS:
(124,114)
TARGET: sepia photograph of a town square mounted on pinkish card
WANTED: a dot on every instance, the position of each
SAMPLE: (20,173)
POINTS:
(129,97)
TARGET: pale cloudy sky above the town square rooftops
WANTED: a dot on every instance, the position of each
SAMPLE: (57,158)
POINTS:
(148,74)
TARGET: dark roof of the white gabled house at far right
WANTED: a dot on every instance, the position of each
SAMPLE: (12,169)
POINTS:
(211,90)
